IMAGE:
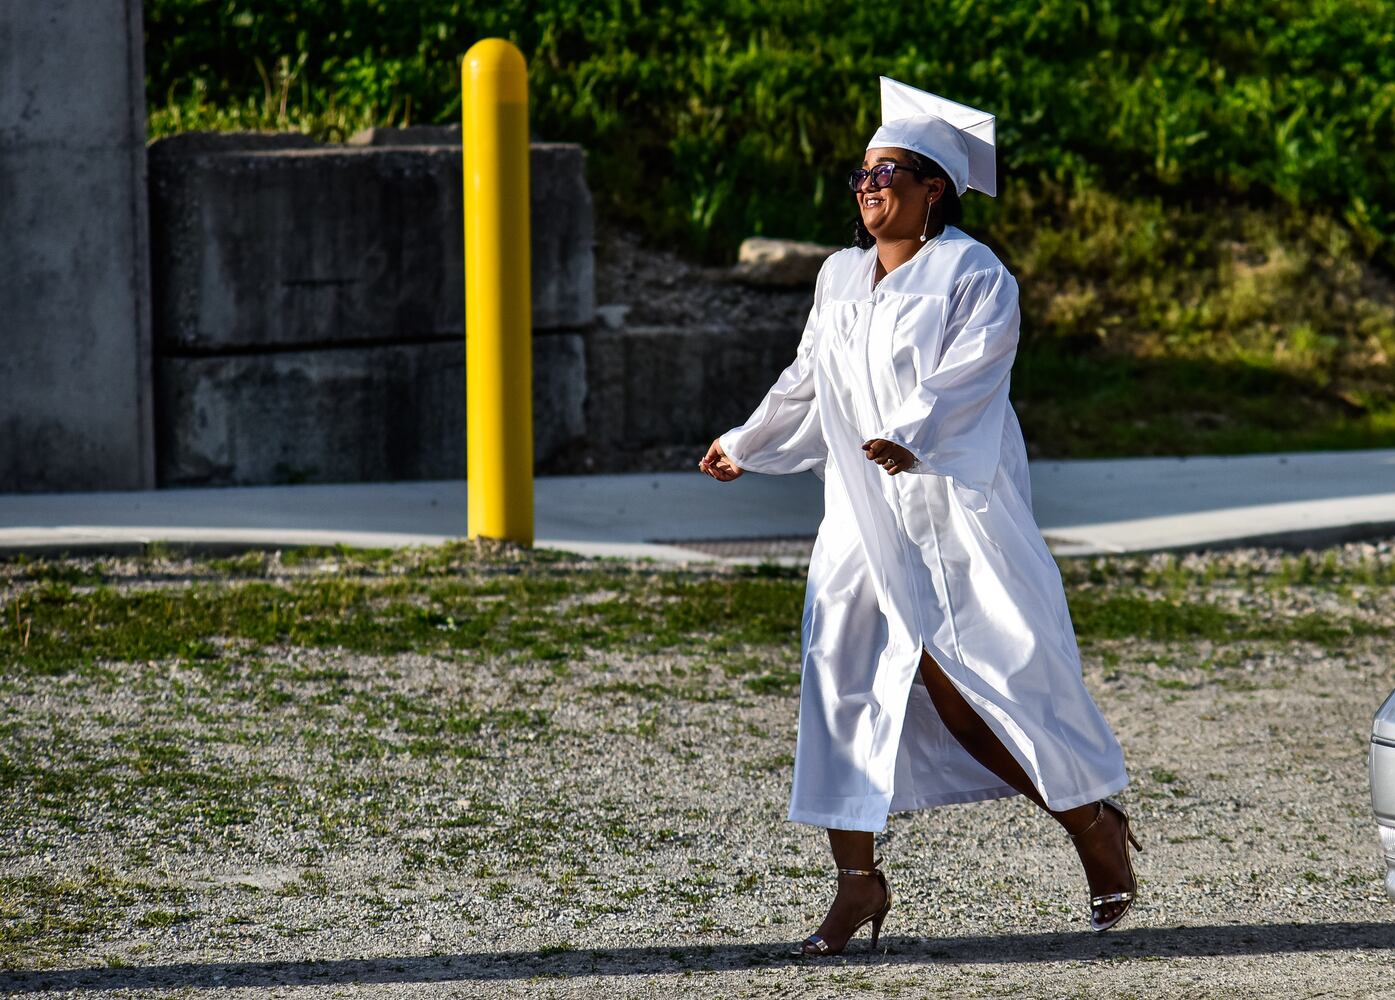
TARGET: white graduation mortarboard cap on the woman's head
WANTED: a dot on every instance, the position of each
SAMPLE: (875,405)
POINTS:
(958,137)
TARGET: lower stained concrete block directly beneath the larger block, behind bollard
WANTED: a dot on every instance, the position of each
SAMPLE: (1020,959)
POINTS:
(352,415)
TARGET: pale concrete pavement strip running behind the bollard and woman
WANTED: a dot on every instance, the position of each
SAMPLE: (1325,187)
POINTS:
(1083,508)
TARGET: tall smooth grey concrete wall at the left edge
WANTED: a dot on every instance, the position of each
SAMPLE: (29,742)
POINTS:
(75,292)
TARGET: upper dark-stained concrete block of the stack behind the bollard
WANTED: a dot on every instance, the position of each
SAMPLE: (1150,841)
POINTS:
(310,245)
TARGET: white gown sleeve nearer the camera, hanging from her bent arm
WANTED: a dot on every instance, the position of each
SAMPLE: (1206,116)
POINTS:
(953,421)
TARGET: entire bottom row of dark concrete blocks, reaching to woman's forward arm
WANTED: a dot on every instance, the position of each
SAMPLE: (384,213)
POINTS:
(603,401)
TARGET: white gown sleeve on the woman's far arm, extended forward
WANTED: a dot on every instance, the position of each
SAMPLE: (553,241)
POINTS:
(783,434)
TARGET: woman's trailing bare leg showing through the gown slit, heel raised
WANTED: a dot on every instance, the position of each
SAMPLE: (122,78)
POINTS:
(1107,867)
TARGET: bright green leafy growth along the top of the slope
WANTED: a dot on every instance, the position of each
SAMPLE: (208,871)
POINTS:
(712,121)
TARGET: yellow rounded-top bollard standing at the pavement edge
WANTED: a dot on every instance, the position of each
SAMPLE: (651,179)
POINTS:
(499,305)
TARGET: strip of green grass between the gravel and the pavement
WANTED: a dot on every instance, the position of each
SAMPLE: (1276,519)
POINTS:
(552,610)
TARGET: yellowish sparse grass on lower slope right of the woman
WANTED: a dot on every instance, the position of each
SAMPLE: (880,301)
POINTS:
(1163,328)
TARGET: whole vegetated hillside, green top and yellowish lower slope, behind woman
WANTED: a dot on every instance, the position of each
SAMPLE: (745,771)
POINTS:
(1195,196)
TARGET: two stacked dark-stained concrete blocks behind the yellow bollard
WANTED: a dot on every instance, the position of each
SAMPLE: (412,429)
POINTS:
(310,306)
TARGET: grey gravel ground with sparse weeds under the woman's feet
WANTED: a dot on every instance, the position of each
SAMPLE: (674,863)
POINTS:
(614,825)
